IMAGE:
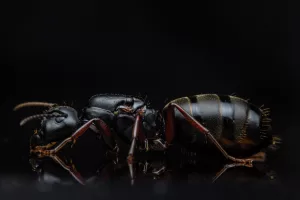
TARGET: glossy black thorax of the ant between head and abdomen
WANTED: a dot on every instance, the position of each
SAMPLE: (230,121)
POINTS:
(110,108)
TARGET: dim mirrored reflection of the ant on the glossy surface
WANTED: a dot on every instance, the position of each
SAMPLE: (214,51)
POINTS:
(107,166)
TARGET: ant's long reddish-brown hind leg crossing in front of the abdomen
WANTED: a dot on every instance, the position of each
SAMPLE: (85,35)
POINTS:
(246,162)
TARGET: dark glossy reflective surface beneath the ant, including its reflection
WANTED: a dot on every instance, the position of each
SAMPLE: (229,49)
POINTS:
(105,179)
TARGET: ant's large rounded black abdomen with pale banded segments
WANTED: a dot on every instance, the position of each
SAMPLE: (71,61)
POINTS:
(232,120)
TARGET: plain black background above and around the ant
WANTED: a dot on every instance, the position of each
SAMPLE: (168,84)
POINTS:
(70,50)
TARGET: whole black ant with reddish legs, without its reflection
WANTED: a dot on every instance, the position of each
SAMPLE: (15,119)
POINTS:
(237,128)
